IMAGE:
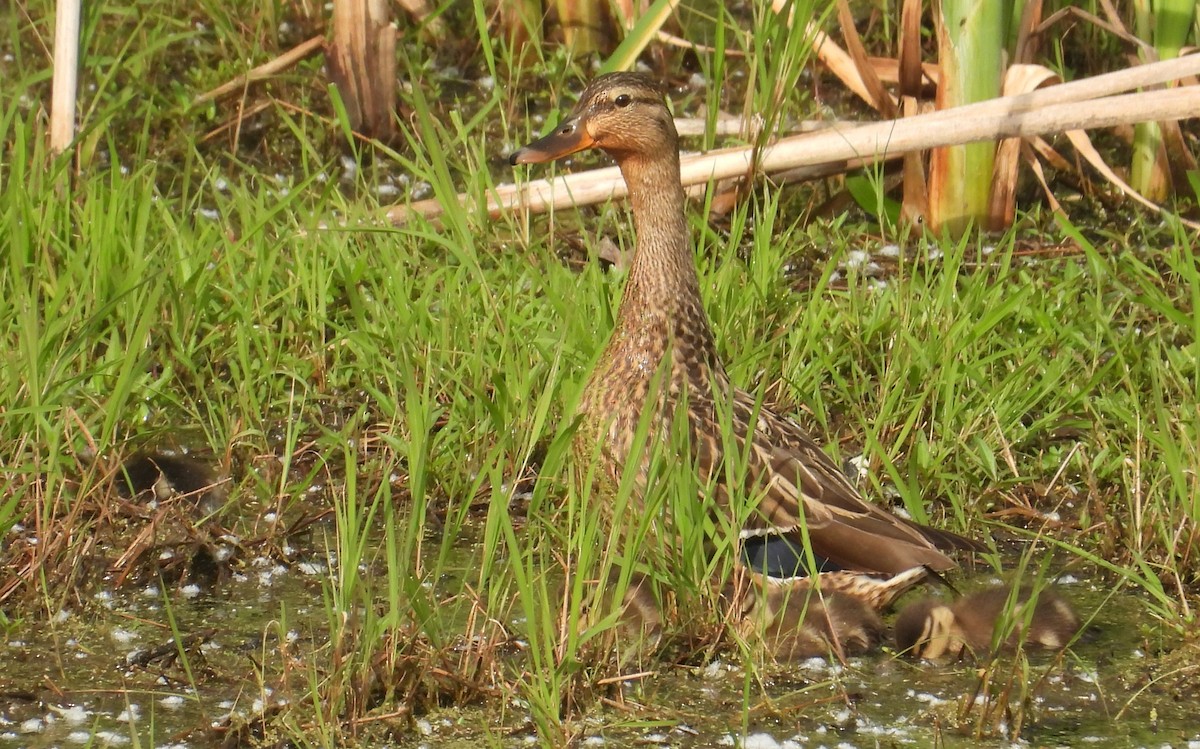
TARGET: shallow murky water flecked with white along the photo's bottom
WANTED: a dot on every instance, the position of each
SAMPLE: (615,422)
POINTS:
(111,674)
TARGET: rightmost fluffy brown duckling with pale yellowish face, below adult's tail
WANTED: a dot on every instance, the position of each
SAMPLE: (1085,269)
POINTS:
(929,630)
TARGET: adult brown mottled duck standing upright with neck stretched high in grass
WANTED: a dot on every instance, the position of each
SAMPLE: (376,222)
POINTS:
(664,333)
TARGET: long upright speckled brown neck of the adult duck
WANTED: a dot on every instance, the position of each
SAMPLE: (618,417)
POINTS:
(663,291)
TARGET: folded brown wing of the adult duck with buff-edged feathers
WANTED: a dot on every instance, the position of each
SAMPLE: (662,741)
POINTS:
(803,493)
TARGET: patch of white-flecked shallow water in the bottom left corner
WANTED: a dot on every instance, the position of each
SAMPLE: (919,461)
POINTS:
(110,670)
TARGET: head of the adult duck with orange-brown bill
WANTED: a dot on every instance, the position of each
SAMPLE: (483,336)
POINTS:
(623,115)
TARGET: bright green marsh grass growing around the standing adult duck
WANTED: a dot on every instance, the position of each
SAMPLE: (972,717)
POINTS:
(425,378)
